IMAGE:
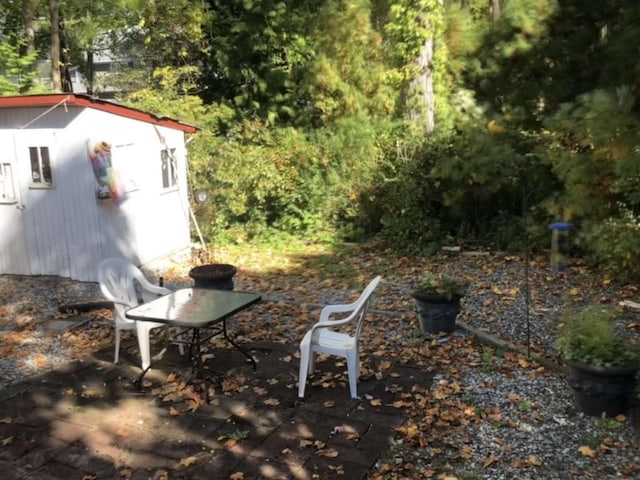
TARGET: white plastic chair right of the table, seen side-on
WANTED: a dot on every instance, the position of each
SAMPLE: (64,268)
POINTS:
(323,338)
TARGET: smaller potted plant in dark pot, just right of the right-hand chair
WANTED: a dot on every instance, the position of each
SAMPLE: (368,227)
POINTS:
(437,297)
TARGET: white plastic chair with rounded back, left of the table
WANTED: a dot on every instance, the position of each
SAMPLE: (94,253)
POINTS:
(118,278)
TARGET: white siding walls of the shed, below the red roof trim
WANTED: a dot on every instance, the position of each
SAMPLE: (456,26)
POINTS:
(67,230)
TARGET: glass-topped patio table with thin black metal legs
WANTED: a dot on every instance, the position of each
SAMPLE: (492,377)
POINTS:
(188,309)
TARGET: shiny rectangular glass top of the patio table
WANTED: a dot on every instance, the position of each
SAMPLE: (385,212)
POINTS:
(193,307)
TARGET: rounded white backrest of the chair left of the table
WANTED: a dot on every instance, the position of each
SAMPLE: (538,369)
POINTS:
(117,278)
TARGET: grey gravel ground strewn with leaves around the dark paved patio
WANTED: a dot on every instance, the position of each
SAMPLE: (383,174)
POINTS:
(523,424)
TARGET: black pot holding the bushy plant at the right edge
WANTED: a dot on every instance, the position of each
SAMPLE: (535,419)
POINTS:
(599,390)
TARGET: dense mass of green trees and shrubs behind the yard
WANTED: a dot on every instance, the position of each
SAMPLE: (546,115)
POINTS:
(518,142)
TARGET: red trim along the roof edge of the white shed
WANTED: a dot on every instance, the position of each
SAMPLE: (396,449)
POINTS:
(49,100)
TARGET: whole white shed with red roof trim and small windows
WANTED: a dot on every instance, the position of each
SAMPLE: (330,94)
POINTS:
(83,179)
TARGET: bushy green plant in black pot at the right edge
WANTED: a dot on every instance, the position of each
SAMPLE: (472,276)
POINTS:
(601,359)
